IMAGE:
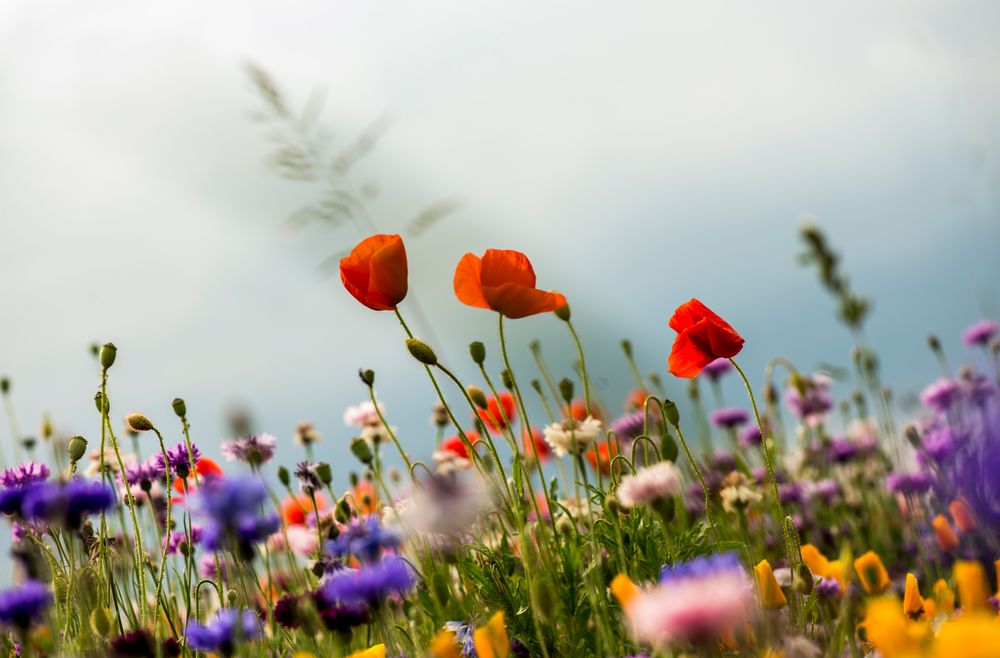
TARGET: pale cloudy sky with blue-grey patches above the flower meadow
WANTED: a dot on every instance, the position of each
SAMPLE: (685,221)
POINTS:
(640,154)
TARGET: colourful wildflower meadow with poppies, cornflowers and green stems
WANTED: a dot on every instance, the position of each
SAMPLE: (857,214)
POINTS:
(784,524)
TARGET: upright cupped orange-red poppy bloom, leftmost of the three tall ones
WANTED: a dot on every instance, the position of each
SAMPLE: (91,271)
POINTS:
(375,272)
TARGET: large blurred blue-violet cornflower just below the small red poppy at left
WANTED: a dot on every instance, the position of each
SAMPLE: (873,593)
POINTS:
(232,512)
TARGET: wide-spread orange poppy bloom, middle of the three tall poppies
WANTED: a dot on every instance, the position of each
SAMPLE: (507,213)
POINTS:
(503,281)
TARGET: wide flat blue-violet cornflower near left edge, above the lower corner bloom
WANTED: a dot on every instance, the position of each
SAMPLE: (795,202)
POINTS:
(67,504)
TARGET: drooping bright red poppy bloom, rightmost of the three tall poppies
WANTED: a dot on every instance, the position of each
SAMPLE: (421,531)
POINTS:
(702,337)
